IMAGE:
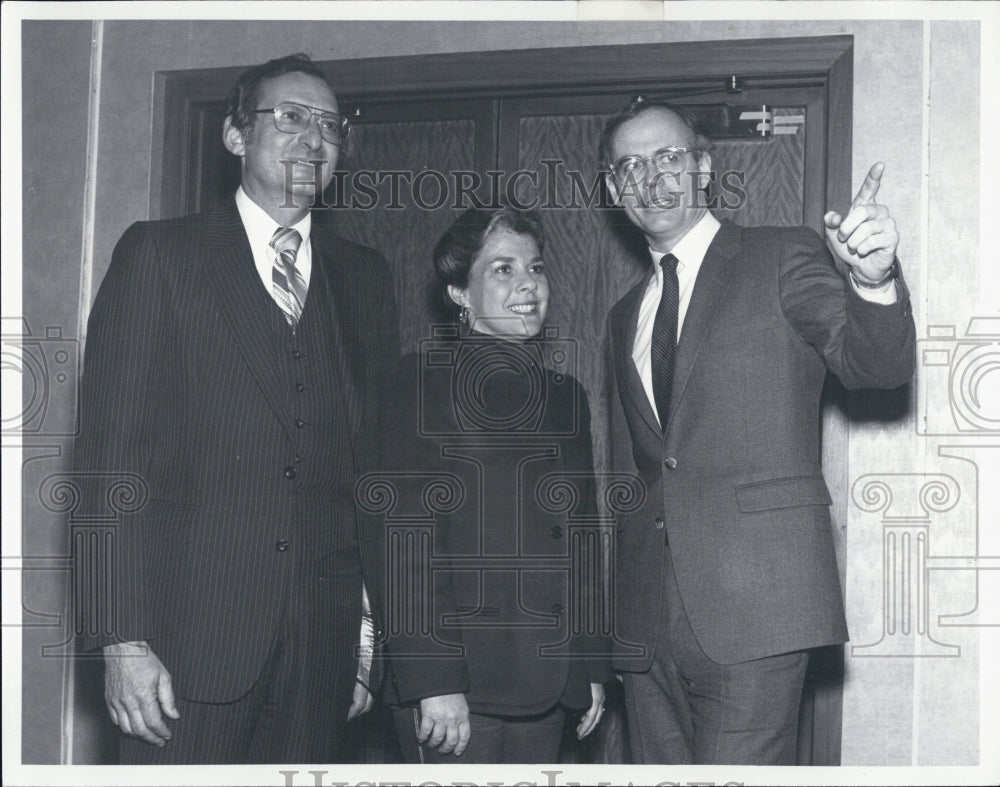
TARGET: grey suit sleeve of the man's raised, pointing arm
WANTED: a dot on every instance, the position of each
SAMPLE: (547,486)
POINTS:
(865,344)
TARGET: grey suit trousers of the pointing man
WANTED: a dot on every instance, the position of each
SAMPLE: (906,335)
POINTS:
(686,709)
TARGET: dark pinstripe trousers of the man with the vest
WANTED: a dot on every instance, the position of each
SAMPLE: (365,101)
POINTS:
(297,710)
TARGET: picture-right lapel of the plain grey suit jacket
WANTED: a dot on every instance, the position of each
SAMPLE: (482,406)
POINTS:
(709,288)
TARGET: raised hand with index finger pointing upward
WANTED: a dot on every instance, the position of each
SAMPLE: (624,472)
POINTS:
(867,238)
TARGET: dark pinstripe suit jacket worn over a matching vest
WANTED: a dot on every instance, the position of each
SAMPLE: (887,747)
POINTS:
(180,389)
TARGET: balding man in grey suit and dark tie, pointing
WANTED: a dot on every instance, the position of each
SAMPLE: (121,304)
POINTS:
(726,575)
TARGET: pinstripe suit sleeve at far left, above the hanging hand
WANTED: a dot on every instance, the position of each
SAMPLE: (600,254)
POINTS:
(123,362)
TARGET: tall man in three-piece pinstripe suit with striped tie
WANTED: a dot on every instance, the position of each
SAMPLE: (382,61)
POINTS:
(234,363)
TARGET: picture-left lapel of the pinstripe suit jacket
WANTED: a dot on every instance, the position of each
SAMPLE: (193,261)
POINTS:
(231,274)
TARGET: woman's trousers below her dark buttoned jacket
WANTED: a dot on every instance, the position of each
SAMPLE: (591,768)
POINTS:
(495,739)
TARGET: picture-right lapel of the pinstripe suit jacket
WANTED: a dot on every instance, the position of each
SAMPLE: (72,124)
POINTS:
(347,345)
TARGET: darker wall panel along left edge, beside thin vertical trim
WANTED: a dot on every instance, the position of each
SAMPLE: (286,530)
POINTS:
(55,81)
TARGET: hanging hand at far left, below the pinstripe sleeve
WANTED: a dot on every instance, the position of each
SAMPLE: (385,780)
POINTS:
(136,688)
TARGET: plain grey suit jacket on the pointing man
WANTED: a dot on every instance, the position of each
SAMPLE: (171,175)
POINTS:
(734,490)
